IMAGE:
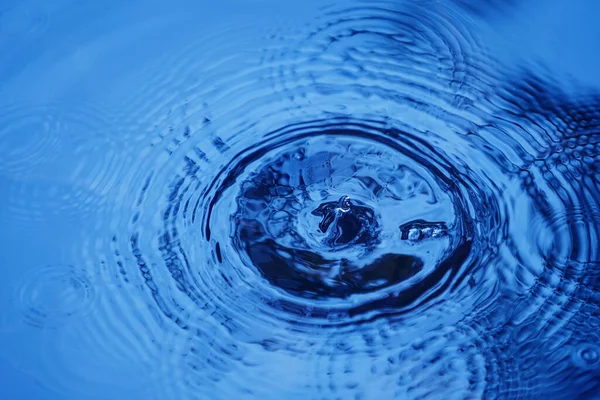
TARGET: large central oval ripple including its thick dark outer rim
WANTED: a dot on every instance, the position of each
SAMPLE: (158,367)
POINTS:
(330,226)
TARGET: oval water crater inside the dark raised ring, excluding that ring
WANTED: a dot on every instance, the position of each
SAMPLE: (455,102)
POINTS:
(333,216)
